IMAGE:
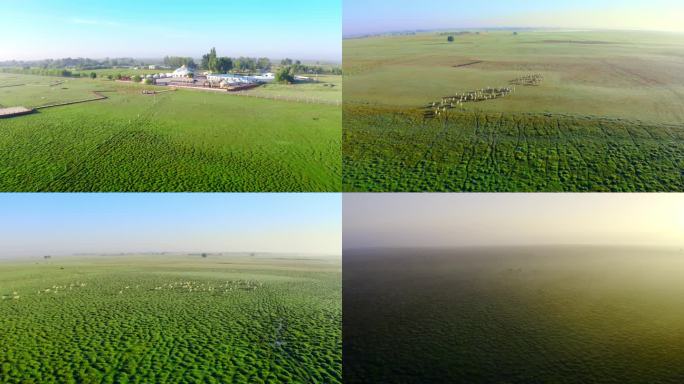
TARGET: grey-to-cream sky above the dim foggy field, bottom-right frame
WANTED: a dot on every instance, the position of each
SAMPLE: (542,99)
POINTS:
(444,220)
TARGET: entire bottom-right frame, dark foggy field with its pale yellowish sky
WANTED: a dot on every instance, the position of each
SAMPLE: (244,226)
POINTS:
(500,288)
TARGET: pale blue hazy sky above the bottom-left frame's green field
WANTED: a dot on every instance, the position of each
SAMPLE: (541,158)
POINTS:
(56,224)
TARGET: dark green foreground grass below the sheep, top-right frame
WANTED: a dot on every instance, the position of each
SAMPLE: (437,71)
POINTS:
(489,152)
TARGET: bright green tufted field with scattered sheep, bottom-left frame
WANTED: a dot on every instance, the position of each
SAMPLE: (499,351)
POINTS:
(171,319)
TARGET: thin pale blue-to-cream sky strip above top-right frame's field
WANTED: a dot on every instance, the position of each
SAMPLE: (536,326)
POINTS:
(374,16)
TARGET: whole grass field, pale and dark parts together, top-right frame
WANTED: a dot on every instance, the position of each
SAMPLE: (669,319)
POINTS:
(619,95)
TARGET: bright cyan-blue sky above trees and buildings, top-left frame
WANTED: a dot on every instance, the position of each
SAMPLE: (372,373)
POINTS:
(301,29)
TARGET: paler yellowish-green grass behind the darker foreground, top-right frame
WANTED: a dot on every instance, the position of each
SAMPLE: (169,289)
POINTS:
(630,75)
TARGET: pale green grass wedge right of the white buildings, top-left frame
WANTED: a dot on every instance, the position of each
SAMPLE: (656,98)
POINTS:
(327,90)
